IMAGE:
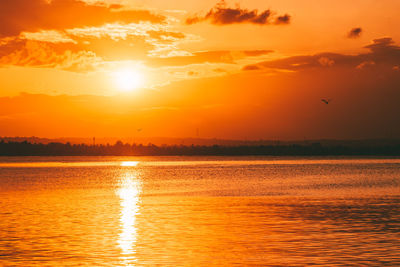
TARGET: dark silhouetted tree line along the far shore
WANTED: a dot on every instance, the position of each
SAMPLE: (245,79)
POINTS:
(120,149)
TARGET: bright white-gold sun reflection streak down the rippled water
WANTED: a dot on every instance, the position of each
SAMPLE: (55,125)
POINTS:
(129,193)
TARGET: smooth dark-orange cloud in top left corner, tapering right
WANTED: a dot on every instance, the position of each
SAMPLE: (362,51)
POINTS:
(19,16)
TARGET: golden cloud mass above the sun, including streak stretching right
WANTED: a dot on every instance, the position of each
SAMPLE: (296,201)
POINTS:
(83,36)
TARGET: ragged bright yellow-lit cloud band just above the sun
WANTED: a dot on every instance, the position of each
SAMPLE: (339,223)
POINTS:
(110,42)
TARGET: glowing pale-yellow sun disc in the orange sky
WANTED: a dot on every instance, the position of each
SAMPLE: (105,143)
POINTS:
(128,80)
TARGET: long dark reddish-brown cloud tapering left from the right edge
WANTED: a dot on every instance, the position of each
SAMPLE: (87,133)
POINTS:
(383,52)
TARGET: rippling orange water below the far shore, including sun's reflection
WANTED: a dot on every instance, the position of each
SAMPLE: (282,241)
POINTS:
(187,211)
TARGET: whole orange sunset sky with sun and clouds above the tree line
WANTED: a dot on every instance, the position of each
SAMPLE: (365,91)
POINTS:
(251,70)
